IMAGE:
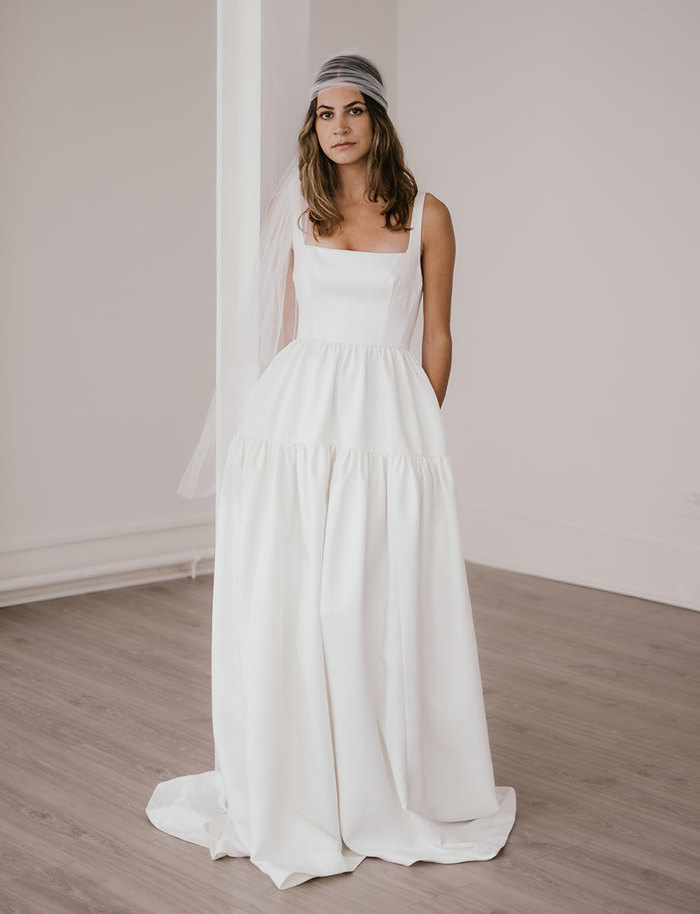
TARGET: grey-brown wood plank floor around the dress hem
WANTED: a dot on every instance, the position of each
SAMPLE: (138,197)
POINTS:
(592,704)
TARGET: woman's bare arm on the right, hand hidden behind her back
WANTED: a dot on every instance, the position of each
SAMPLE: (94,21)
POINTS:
(437,263)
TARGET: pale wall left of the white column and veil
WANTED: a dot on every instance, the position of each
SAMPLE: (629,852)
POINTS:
(107,284)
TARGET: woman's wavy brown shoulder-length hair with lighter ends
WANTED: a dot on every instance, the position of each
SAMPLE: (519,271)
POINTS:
(387,173)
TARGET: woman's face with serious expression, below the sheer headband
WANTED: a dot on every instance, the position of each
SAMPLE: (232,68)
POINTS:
(342,117)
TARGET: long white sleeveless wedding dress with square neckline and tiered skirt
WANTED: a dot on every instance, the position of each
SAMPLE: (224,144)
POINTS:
(347,702)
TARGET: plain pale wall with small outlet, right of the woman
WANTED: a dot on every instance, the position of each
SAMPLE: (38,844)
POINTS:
(565,140)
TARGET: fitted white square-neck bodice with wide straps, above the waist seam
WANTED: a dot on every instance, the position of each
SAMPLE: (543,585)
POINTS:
(358,296)
